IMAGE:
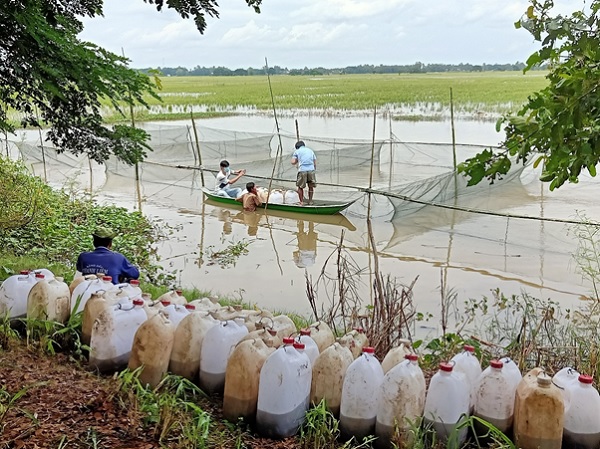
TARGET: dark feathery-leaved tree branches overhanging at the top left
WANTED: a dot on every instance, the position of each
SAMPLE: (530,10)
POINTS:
(50,77)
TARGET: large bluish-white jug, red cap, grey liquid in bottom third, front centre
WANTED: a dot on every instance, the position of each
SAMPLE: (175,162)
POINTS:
(283,391)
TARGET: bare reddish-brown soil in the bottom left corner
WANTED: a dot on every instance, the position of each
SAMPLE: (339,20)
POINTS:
(64,405)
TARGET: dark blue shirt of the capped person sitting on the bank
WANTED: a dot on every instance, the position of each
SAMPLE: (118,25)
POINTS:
(111,263)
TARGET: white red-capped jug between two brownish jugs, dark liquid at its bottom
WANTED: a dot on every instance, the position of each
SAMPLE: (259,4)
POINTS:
(360,396)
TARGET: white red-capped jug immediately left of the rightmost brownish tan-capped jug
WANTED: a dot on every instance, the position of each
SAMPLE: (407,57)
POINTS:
(495,398)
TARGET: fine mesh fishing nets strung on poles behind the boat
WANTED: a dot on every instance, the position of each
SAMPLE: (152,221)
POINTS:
(406,176)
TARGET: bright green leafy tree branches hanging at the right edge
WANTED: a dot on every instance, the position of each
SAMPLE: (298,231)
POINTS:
(559,126)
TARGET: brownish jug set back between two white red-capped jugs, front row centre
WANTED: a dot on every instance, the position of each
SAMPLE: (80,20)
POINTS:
(328,375)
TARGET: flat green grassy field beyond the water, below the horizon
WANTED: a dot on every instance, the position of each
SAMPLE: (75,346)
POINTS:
(472,92)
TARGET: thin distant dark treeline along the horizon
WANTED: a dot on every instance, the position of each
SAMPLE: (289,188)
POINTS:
(417,67)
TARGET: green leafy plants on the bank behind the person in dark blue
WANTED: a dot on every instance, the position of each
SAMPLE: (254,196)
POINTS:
(57,226)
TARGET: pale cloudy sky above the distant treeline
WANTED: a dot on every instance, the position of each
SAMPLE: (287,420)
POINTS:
(319,33)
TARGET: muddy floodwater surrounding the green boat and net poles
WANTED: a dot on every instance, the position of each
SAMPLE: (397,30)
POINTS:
(472,254)
